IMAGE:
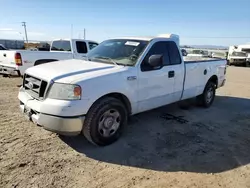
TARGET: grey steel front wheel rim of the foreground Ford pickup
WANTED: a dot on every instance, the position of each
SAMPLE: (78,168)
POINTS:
(109,123)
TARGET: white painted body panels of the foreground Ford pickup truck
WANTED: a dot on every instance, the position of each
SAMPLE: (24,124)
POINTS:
(148,90)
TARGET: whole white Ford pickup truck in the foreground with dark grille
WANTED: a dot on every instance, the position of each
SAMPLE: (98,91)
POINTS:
(121,77)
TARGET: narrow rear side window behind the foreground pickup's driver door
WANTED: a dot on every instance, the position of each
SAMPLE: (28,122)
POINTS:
(174,53)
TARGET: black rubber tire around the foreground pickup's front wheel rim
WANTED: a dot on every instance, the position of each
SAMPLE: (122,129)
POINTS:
(91,125)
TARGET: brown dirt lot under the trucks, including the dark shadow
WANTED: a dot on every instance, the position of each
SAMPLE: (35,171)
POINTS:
(210,149)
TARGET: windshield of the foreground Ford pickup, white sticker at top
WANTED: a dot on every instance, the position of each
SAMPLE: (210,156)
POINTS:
(120,51)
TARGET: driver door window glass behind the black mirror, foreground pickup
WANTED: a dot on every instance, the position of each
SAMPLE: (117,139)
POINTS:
(159,48)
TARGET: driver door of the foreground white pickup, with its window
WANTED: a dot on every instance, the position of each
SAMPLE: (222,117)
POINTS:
(155,84)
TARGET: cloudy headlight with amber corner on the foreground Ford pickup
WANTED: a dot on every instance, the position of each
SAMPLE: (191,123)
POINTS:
(65,92)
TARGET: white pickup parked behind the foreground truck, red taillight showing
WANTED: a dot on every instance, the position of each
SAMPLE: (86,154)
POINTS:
(15,62)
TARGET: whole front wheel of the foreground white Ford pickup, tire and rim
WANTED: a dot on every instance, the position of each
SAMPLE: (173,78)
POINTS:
(104,121)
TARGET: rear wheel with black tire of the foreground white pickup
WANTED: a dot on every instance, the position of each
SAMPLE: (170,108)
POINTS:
(202,99)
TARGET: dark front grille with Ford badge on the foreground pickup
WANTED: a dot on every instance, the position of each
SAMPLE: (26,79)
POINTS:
(34,86)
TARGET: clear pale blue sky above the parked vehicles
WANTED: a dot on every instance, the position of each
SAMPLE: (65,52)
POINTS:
(197,22)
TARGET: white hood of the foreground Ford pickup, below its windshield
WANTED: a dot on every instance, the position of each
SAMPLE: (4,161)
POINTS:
(68,71)
